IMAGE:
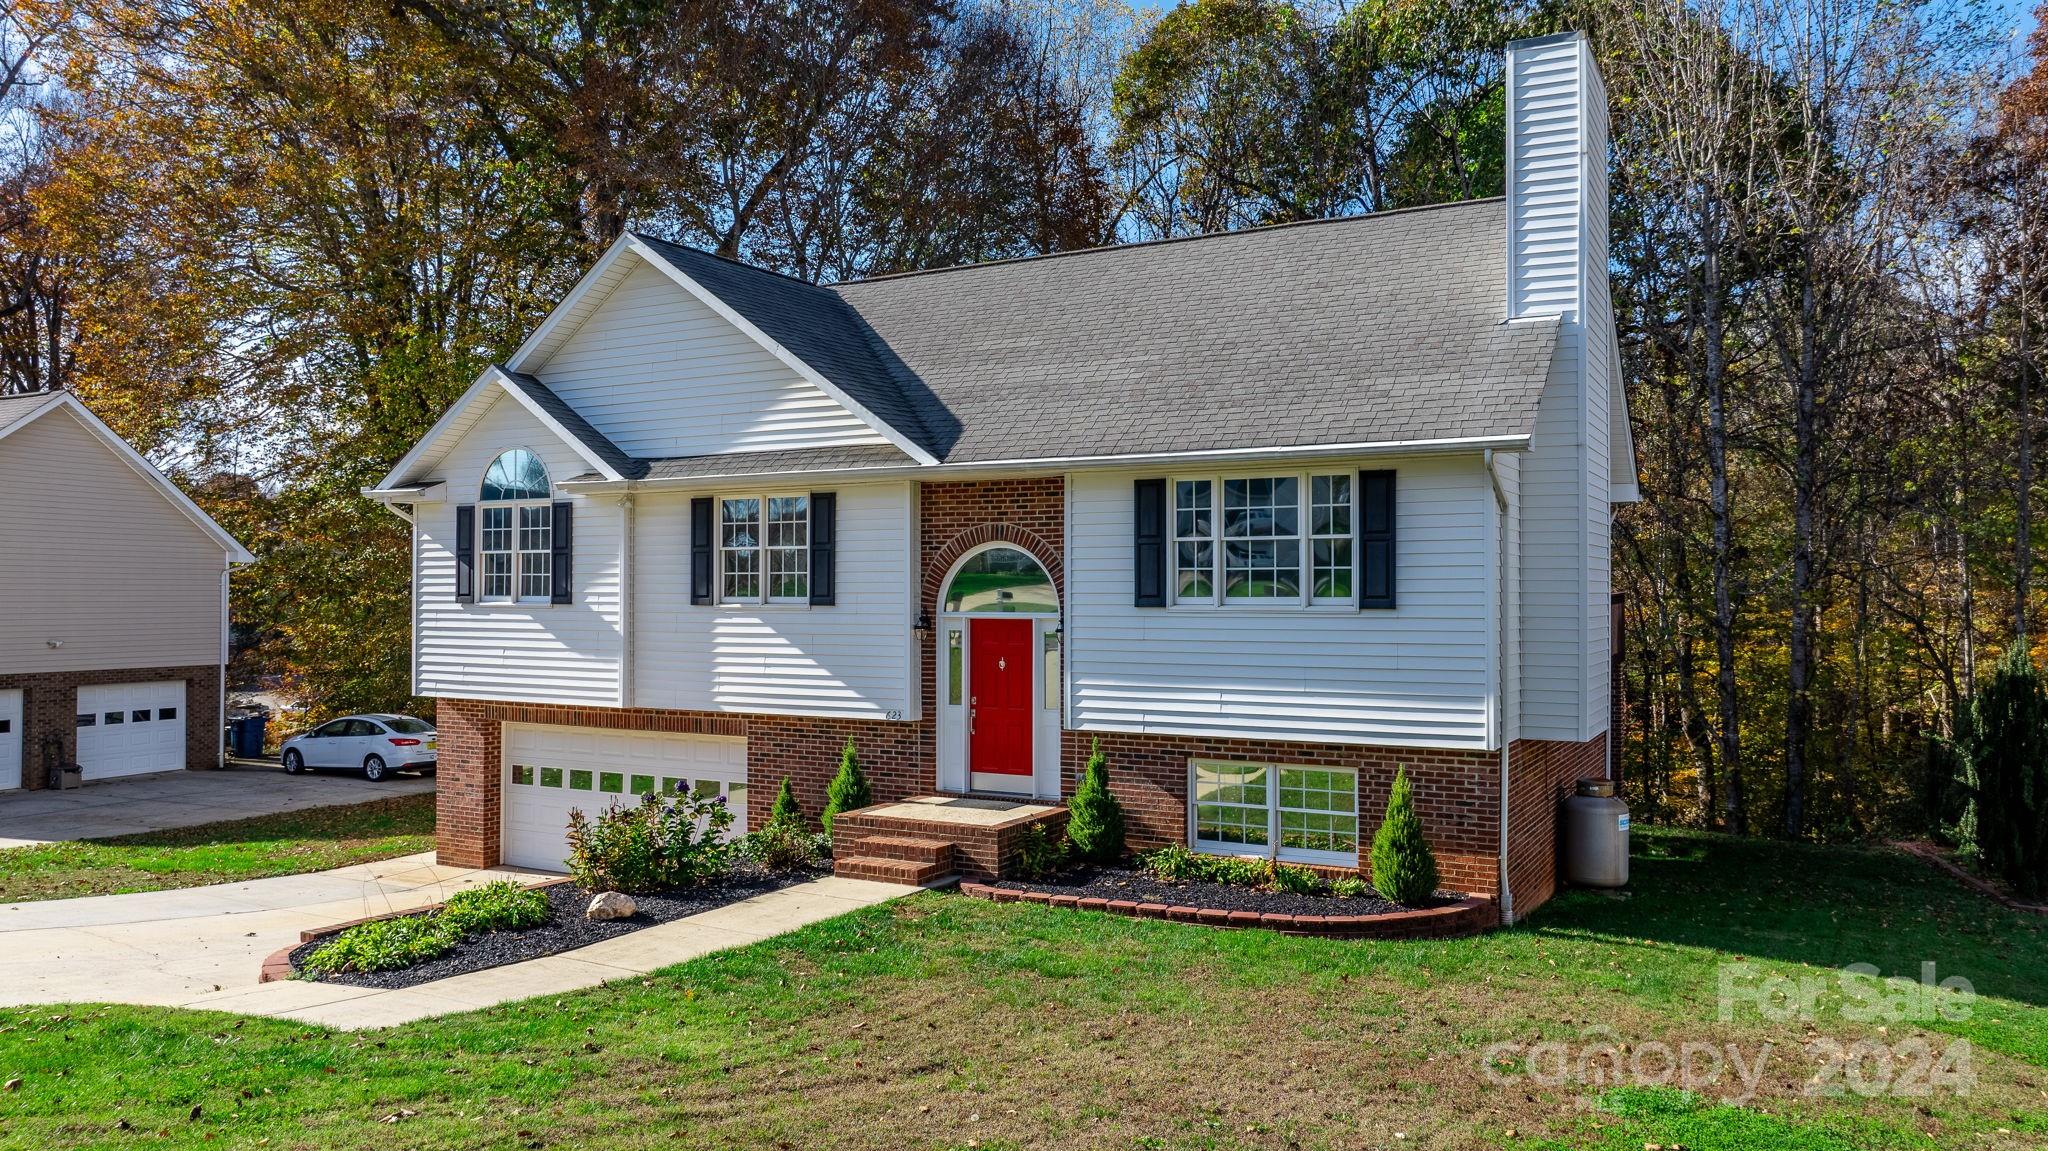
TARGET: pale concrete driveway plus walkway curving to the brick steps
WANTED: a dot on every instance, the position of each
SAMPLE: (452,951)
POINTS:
(204,947)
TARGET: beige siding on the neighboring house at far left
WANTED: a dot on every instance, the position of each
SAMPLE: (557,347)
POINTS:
(99,562)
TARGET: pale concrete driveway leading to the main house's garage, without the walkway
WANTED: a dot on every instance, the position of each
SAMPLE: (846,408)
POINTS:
(202,945)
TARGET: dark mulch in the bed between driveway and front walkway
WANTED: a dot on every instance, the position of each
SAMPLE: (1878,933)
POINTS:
(564,931)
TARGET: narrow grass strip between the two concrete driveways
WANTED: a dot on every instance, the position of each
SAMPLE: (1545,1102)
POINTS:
(220,853)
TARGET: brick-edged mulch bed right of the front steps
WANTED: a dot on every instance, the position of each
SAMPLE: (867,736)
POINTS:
(1140,896)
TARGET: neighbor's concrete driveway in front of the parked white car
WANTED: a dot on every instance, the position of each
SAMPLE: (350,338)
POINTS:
(181,800)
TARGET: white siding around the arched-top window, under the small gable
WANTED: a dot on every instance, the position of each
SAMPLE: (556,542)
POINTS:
(523,652)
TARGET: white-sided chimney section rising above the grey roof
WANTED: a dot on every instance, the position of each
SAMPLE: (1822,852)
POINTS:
(1558,175)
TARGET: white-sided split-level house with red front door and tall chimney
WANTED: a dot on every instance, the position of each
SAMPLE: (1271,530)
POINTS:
(1267,515)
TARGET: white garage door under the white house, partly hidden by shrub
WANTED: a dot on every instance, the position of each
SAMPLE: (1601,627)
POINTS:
(552,771)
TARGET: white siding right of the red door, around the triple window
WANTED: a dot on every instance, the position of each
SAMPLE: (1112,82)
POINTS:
(1414,677)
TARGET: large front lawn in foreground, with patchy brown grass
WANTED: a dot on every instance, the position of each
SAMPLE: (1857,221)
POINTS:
(951,1023)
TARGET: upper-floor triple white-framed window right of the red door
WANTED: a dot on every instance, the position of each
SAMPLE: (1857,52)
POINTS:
(1265,540)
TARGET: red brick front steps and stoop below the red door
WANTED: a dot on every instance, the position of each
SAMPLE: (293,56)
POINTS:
(937,839)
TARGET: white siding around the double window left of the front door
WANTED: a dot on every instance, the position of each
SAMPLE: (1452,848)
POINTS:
(845,660)
